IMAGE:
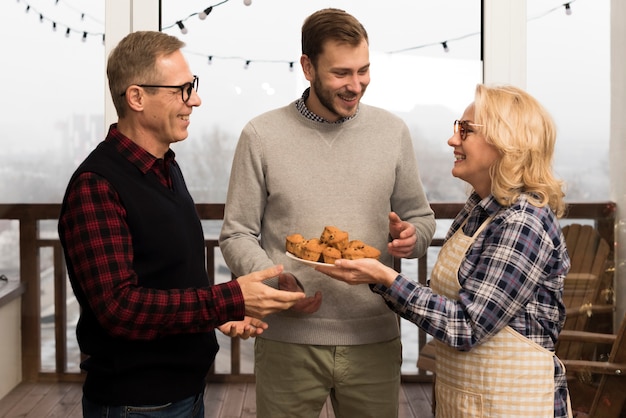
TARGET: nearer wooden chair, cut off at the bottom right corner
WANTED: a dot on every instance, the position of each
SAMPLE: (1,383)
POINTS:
(603,393)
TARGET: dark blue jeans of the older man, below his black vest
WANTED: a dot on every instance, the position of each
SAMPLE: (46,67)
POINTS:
(192,407)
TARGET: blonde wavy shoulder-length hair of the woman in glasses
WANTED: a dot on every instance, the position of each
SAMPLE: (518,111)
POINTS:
(524,134)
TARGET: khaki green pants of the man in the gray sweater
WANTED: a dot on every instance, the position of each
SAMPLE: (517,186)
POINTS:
(294,380)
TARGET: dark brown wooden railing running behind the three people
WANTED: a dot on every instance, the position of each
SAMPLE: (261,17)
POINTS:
(31,243)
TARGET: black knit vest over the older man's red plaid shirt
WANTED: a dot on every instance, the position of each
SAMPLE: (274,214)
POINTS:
(168,246)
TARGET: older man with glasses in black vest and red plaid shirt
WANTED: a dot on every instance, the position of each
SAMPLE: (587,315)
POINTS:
(134,248)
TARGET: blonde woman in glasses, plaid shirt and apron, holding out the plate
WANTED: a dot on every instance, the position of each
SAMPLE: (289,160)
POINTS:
(494,304)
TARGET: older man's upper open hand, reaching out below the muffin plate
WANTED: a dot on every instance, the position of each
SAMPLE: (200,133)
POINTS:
(261,299)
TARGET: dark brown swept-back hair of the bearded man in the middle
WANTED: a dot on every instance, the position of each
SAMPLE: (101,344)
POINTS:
(330,25)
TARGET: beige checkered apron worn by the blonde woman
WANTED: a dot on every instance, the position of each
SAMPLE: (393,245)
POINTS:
(507,376)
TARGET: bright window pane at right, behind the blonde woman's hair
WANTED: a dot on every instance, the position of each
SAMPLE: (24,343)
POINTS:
(569,73)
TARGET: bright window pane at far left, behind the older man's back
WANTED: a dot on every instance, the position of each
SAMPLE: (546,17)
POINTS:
(54,94)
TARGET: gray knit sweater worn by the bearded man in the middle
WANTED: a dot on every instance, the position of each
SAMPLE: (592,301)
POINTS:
(294,175)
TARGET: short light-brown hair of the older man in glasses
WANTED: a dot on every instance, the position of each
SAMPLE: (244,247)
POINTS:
(133,61)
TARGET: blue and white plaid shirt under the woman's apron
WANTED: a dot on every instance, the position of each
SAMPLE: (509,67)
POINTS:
(512,275)
